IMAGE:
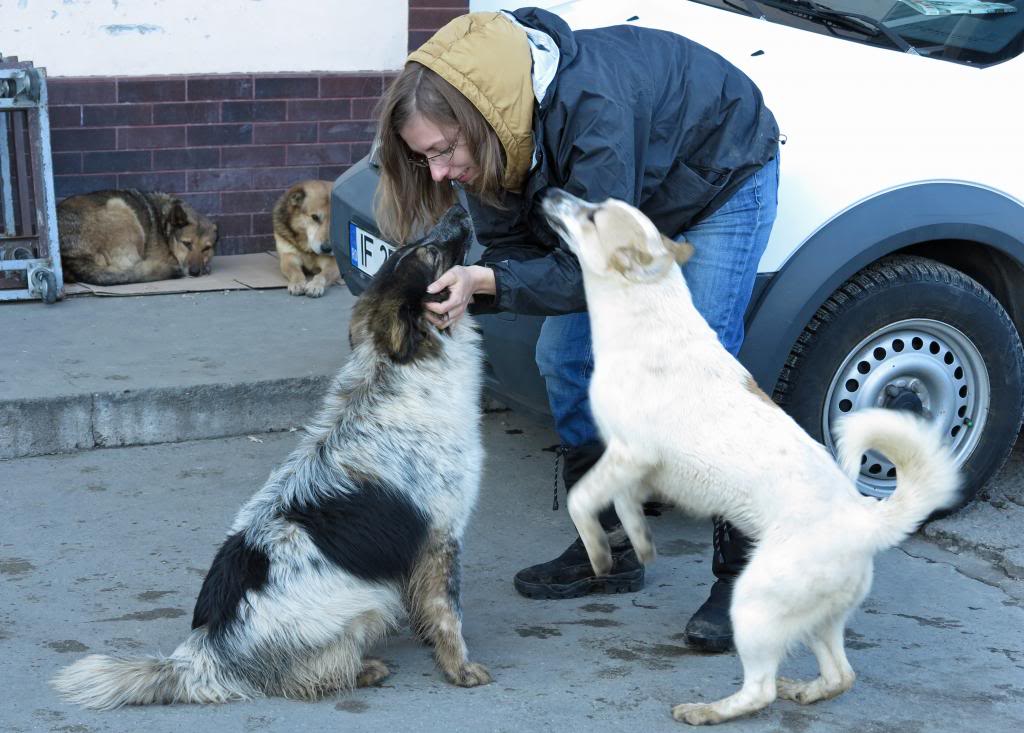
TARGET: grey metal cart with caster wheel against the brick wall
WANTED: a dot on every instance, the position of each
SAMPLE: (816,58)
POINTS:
(30,254)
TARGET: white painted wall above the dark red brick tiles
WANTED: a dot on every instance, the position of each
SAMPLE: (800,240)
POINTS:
(156,37)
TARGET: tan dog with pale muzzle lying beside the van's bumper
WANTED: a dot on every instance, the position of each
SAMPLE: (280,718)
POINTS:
(302,234)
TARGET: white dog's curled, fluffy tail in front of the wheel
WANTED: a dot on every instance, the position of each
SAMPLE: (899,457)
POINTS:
(927,479)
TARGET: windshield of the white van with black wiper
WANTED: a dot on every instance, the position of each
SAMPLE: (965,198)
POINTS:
(972,32)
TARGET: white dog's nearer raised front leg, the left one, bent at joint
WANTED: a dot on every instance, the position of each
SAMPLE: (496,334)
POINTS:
(615,473)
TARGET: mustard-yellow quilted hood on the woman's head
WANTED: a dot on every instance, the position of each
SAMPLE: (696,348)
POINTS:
(487,58)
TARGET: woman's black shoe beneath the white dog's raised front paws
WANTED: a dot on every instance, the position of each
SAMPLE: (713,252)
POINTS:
(571,576)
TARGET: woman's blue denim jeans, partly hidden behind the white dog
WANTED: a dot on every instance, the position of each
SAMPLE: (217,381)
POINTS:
(729,246)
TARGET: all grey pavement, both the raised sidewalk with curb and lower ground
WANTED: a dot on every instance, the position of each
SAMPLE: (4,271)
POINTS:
(105,550)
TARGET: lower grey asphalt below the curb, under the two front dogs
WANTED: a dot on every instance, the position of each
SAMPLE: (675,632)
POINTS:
(104,551)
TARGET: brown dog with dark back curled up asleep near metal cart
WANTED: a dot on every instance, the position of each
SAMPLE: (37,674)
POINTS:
(119,237)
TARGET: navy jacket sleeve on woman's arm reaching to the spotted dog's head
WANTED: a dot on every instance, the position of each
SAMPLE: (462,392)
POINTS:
(592,158)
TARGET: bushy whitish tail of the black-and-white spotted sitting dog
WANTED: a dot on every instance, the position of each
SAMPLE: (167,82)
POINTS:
(190,675)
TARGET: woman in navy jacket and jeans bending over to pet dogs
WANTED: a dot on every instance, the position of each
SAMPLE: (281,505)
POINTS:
(506,105)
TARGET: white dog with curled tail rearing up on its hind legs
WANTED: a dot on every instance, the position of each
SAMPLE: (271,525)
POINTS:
(695,428)
